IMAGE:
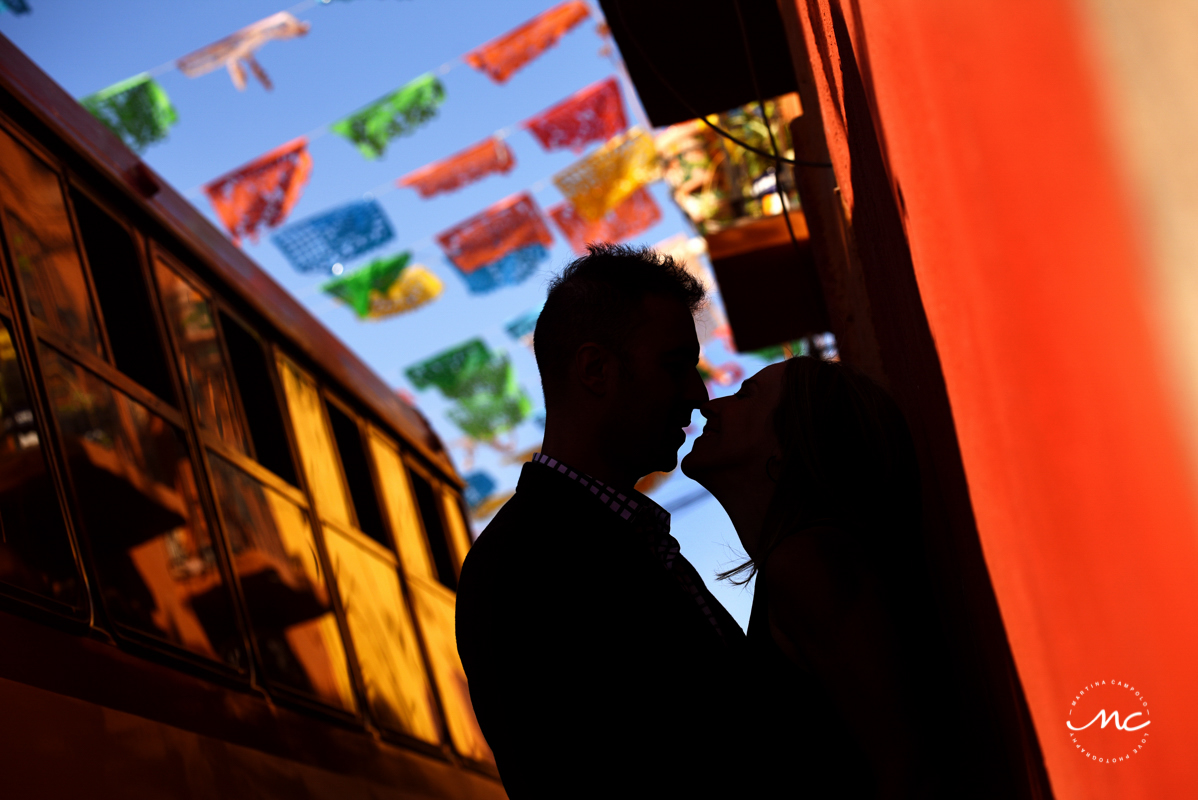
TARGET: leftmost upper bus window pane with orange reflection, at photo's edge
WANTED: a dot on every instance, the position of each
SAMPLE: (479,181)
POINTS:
(43,246)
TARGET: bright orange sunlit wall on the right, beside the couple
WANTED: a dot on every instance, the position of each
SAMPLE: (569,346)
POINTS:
(1034,286)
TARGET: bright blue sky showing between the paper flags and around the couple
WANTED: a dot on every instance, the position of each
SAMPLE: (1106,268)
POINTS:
(356,52)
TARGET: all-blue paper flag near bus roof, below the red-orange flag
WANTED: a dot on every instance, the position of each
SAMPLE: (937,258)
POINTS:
(317,244)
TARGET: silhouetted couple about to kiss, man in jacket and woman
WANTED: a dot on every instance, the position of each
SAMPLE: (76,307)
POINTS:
(601,665)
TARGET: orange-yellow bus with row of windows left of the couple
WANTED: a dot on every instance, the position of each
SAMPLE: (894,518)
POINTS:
(228,550)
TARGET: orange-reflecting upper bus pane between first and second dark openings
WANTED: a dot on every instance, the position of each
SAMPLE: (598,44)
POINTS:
(196,334)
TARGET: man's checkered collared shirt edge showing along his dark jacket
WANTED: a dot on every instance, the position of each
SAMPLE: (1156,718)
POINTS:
(649,519)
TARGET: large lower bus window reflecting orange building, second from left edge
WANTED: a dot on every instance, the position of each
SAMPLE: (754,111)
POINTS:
(153,549)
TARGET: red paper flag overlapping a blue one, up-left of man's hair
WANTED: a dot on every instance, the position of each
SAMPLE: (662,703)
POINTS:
(511,225)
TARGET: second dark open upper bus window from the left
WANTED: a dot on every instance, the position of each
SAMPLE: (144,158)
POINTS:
(259,402)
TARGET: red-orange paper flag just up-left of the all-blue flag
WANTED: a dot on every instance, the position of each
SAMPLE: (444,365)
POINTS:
(263,192)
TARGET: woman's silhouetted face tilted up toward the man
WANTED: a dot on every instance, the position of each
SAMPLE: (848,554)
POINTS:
(739,440)
